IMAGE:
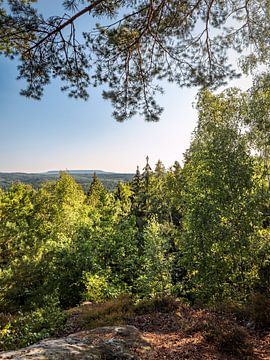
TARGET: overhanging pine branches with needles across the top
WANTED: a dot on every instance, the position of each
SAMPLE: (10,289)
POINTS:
(128,47)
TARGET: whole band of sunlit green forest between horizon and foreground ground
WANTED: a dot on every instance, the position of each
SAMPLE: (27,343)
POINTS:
(199,232)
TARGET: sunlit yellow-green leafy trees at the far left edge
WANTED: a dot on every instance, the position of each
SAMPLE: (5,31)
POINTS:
(37,227)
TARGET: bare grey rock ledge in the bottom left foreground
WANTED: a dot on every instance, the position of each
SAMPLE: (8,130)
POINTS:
(105,343)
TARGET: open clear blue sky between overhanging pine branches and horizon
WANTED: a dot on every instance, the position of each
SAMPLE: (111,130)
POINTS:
(61,133)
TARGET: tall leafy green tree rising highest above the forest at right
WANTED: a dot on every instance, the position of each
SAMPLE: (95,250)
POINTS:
(221,205)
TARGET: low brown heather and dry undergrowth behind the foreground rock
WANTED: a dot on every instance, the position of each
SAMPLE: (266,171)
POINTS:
(223,332)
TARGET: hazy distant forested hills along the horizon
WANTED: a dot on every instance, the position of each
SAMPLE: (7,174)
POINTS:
(83,177)
